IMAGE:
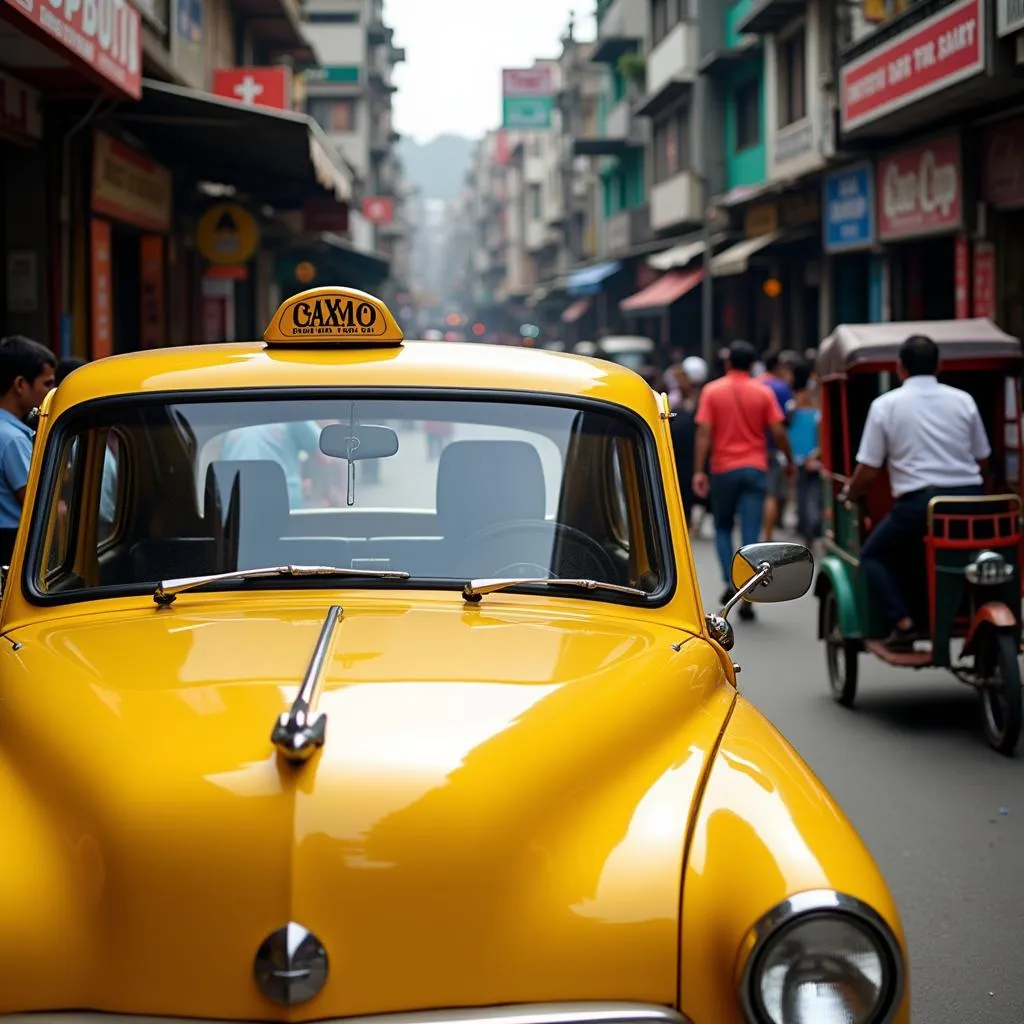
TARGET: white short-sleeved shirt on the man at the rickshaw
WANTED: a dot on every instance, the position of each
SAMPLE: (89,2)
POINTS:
(930,434)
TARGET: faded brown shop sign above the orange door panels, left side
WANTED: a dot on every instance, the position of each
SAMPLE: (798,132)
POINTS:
(131,187)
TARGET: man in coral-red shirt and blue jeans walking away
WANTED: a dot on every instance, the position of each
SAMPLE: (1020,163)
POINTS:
(736,416)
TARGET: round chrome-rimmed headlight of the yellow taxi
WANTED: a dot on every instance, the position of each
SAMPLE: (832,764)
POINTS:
(822,958)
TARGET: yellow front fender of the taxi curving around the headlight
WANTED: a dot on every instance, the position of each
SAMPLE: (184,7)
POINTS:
(766,831)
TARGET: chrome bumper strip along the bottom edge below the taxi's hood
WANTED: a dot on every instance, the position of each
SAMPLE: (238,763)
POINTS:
(536,1013)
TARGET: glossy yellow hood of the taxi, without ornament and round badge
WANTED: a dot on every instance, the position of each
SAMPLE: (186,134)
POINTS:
(498,815)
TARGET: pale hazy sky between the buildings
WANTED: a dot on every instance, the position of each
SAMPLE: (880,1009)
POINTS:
(456,51)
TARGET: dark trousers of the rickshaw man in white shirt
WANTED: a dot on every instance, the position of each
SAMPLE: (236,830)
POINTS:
(897,541)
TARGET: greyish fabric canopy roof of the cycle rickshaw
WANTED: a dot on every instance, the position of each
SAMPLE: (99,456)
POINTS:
(854,345)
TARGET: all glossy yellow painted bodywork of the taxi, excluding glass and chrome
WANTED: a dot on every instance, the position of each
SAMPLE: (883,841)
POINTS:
(502,807)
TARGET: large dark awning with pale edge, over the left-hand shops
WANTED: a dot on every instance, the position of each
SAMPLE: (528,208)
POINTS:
(281,156)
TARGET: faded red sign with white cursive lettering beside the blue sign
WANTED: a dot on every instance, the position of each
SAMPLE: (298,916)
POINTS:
(920,190)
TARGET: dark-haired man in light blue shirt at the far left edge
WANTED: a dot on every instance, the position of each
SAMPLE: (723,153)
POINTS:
(27,374)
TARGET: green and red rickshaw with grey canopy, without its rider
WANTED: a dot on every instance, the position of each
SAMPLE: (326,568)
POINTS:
(966,580)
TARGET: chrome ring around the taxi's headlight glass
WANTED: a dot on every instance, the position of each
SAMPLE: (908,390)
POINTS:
(805,905)
